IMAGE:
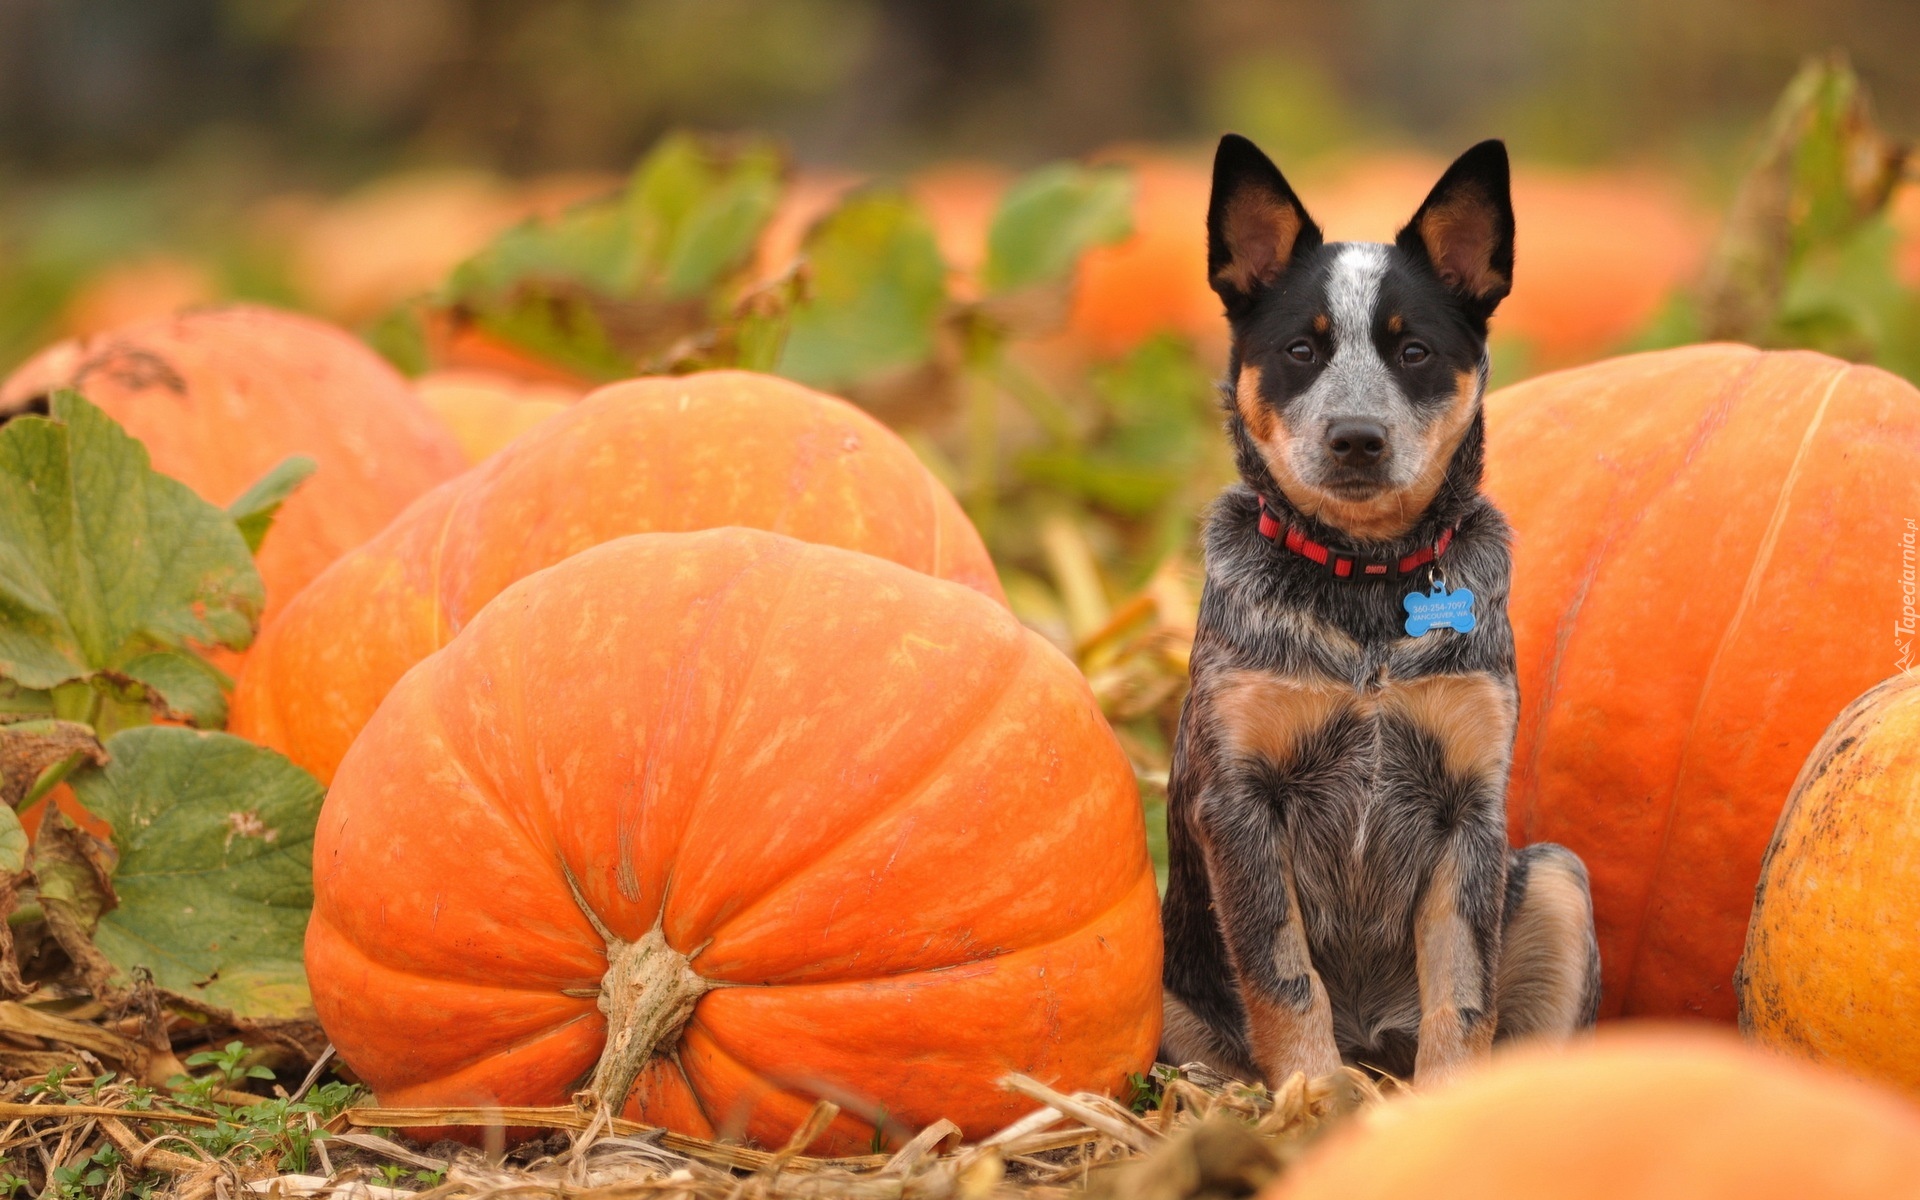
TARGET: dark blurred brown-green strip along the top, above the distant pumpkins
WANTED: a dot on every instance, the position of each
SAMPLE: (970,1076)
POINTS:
(333,91)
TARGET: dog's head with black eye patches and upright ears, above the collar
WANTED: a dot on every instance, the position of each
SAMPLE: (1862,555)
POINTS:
(1358,366)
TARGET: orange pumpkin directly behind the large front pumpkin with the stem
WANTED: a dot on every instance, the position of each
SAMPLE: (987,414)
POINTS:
(644,456)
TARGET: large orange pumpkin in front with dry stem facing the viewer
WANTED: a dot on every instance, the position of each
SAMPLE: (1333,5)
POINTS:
(792,821)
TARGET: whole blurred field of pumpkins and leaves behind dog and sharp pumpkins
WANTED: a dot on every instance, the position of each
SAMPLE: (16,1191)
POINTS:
(982,220)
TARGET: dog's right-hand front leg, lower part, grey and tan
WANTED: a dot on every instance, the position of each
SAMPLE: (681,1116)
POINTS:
(1456,944)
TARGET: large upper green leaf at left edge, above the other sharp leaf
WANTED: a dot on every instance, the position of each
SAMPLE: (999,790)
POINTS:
(103,558)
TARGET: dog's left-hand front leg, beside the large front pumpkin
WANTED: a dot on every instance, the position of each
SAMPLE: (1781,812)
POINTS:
(1287,1013)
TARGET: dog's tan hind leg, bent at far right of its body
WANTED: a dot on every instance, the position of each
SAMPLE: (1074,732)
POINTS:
(1545,955)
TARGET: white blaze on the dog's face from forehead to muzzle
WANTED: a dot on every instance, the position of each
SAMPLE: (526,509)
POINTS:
(1356,381)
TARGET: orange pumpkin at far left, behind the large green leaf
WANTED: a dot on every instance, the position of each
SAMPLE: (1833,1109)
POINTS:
(222,396)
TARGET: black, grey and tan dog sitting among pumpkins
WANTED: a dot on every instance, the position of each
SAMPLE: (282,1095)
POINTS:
(1341,886)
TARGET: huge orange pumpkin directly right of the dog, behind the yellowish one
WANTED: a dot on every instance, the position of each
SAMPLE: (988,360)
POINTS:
(1702,579)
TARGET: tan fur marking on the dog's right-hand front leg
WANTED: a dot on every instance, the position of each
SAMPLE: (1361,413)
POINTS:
(1456,1011)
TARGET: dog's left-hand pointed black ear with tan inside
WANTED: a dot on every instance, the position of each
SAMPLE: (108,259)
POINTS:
(1255,224)
